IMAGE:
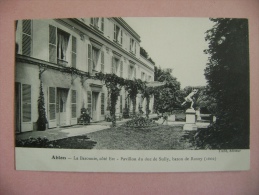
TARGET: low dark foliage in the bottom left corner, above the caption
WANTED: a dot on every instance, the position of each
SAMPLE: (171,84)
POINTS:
(36,143)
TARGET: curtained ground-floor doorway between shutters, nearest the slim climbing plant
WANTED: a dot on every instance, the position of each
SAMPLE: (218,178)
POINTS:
(61,109)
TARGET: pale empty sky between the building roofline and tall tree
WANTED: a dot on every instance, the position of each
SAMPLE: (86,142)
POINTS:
(176,43)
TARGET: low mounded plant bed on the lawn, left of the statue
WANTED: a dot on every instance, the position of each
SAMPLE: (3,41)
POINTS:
(140,122)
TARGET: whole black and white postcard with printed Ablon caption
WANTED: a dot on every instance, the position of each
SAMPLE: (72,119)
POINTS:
(125,90)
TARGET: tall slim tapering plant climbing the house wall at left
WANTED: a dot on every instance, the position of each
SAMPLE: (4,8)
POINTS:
(42,119)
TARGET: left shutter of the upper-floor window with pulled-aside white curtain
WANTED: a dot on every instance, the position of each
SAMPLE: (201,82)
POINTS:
(52,44)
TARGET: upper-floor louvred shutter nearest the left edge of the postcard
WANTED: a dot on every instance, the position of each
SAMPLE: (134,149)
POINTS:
(26,37)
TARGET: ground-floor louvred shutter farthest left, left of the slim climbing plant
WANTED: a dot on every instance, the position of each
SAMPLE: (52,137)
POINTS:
(26,102)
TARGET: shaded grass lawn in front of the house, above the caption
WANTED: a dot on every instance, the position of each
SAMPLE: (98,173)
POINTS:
(160,137)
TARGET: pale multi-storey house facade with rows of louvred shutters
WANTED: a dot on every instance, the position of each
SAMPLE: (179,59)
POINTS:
(46,49)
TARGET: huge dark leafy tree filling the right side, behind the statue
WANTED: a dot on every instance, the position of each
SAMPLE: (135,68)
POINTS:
(227,74)
